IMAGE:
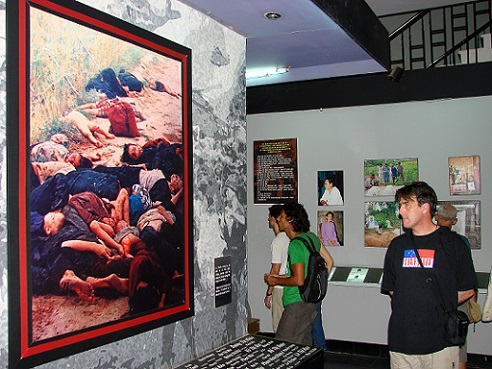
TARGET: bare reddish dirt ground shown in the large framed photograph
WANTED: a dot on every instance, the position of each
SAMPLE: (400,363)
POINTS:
(54,315)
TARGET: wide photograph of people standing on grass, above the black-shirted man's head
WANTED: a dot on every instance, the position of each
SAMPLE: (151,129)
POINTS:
(383,177)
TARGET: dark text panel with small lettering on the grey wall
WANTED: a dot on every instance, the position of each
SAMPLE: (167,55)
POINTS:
(275,171)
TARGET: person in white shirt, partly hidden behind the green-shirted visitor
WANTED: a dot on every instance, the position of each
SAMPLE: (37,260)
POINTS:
(279,248)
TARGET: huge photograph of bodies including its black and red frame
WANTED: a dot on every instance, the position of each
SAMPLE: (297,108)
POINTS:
(100,180)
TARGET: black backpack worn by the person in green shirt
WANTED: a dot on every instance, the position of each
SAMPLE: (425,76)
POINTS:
(316,281)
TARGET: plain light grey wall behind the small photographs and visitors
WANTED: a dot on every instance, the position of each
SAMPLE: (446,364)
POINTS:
(341,139)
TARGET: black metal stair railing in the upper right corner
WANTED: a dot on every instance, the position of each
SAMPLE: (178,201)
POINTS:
(444,36)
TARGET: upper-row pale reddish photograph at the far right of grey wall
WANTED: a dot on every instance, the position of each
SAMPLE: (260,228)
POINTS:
(464,175)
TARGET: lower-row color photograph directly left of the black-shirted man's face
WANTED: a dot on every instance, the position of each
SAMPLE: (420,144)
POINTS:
(381,223)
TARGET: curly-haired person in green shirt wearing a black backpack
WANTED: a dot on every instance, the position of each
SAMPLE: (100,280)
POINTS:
(298,317)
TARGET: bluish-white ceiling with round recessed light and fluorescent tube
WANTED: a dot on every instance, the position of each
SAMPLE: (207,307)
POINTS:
(305,38)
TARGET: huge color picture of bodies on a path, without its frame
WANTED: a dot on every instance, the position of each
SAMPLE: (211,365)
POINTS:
(107,224)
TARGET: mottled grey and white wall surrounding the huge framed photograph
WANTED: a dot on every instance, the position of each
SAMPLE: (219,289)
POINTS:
(219,189)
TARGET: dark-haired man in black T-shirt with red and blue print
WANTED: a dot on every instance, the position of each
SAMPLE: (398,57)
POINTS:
(428,271)
